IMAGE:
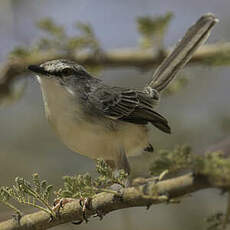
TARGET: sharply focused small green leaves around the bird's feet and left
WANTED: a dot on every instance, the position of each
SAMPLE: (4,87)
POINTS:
(38,192)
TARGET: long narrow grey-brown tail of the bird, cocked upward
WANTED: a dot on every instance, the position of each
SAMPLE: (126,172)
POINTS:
(195,36)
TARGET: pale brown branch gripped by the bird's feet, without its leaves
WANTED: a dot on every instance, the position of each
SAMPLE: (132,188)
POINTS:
(139,196)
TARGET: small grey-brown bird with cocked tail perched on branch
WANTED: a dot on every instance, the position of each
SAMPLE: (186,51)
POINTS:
(110,122)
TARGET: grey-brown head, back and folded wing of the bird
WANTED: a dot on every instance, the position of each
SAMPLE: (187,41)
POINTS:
(115,103)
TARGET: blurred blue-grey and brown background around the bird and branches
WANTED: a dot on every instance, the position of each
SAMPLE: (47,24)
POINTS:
(198,113)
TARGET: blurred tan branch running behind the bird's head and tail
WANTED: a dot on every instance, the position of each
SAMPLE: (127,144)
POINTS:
(212,54)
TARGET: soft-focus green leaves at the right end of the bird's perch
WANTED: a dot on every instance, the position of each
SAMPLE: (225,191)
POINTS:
(213,165)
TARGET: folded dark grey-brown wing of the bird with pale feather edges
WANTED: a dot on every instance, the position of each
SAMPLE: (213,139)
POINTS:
(127,105)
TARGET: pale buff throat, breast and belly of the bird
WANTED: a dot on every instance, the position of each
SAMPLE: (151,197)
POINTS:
(92,139)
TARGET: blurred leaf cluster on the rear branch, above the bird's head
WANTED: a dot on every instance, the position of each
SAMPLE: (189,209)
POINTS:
(57,40)
